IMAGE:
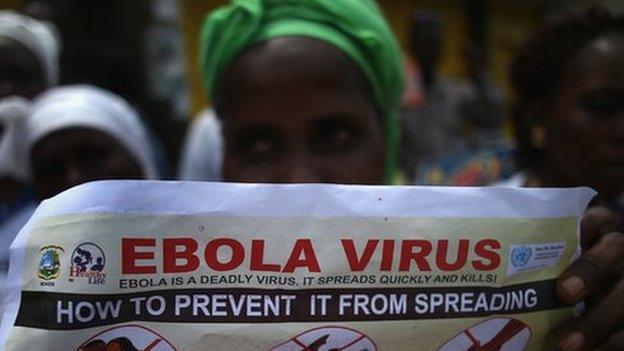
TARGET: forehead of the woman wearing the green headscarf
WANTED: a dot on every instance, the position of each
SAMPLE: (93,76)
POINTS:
(293,75)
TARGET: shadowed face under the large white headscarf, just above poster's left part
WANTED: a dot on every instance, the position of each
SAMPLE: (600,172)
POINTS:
(74,156)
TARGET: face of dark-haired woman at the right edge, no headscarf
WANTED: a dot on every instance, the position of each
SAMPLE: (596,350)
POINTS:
(585,125)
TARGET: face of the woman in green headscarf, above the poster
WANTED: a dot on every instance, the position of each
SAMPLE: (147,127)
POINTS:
(298,110)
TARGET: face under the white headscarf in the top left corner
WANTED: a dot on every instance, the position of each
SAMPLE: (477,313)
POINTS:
(21,73)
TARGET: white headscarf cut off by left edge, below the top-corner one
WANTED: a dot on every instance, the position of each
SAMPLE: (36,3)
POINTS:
(13,111)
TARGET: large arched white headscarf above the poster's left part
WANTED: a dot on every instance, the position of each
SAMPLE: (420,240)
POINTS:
(91,107)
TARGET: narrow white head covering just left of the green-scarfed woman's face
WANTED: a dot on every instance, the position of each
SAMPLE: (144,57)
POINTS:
(202,154)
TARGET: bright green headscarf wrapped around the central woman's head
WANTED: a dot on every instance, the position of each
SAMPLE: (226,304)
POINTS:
(356,27)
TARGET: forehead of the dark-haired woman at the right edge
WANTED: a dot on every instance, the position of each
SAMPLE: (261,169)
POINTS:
(599,64)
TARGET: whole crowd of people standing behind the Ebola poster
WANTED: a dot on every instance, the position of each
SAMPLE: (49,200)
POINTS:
(292,99)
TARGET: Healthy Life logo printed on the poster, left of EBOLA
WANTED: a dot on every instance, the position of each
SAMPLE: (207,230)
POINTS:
(87,263)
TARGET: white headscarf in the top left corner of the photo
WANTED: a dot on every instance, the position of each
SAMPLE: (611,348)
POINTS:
(38,37)
